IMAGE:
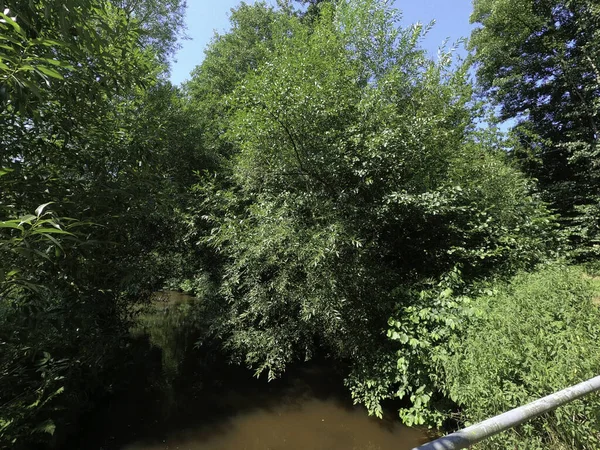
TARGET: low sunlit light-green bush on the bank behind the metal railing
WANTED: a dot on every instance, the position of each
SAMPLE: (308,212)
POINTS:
(532,337)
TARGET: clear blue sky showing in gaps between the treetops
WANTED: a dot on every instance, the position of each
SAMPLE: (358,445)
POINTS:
(204,17)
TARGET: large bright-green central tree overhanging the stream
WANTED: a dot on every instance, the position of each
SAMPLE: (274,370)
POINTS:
(357,178)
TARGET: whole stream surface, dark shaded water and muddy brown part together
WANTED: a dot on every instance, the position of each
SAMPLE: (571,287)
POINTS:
(216,406)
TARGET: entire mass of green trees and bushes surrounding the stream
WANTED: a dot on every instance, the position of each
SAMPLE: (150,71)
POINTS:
(321,184)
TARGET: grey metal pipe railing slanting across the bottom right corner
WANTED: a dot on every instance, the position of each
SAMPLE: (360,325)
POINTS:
(478,432)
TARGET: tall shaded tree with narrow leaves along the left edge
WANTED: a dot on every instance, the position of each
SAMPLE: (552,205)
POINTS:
(77,84)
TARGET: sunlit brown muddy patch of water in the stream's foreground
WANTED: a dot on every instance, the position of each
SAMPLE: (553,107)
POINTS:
(295,418)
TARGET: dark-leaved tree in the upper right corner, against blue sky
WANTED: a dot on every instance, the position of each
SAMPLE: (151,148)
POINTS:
(539,61)
